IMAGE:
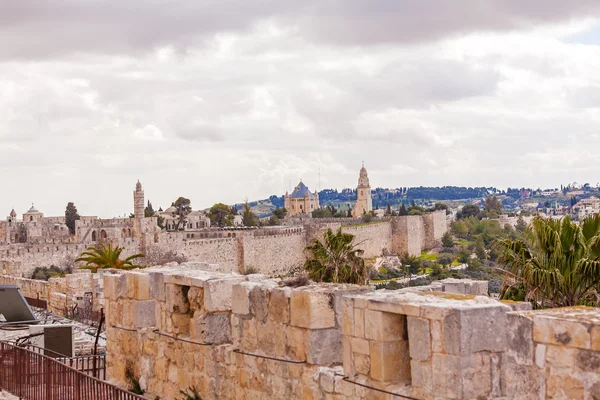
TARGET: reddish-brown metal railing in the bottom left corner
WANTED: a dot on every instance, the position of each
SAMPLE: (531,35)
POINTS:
(33,376)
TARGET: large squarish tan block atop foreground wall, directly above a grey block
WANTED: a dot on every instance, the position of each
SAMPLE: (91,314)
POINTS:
(311,309)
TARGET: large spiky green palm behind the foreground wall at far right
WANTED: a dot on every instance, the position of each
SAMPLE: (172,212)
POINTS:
(557,264)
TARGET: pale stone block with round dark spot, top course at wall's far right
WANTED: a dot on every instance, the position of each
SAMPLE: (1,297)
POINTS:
(567,332)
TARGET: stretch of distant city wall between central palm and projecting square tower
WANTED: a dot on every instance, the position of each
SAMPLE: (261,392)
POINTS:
(374,238)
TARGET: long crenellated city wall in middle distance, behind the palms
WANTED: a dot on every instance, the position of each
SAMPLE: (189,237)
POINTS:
(271,251)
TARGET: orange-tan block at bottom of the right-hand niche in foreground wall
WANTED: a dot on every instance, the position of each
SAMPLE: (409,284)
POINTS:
(390,361)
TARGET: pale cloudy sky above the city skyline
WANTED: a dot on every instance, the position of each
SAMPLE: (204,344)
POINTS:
(221,101)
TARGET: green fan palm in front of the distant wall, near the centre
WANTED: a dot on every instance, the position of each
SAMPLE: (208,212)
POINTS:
(336,259)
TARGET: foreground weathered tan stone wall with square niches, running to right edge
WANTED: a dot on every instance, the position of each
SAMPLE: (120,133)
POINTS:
(247,337)
